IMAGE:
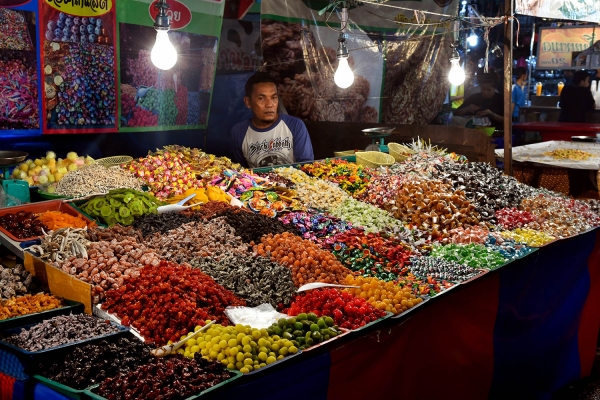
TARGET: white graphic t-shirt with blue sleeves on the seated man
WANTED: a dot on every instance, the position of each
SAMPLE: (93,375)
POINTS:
(285,142)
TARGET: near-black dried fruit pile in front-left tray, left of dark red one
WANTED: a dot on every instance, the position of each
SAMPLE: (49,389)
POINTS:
(94,362)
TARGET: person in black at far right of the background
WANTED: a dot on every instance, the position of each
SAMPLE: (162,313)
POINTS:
(577,99)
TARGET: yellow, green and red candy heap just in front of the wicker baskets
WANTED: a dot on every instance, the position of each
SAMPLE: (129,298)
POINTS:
(351,177)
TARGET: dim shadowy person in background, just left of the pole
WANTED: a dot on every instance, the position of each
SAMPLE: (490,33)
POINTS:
(487,103)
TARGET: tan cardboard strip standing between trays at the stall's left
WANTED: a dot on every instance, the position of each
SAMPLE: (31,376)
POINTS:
(59,282)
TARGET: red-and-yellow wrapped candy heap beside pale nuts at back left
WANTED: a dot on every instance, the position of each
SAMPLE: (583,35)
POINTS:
(167,174)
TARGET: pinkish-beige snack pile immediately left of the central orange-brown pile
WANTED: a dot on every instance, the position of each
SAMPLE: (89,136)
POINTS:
(194,240)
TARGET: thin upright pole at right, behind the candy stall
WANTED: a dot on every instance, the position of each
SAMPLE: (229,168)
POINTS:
(508,39)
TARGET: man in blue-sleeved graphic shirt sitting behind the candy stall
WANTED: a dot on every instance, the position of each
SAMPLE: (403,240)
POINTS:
(269,138)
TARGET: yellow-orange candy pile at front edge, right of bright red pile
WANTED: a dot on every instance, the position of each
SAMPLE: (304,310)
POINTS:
(386,296)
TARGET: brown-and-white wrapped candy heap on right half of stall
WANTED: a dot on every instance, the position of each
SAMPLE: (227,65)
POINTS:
(433,206)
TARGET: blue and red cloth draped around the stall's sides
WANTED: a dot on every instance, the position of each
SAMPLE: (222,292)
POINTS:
(520,332)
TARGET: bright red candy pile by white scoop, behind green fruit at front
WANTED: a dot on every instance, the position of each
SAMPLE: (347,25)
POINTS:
(348,311)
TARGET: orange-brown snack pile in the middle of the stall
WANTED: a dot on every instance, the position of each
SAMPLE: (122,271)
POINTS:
(308,262)
